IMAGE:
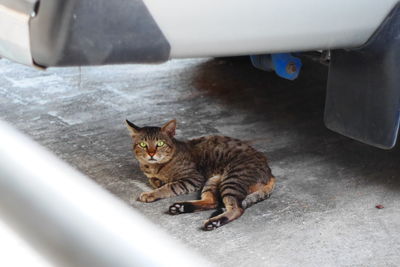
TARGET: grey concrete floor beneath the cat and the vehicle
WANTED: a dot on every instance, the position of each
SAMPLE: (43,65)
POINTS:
(322,212)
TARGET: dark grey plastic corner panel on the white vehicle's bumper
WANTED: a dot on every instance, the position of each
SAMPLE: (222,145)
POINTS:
(95,32)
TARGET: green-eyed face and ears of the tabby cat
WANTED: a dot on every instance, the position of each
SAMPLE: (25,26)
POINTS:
(153,144)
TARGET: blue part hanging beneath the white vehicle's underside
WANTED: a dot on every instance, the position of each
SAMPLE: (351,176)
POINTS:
(284,64)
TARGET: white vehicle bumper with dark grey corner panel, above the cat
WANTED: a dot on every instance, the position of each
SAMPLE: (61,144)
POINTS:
(98,32)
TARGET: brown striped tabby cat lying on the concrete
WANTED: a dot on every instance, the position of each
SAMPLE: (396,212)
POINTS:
(225,169)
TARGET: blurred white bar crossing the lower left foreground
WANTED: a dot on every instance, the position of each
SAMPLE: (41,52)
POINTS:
(72,221)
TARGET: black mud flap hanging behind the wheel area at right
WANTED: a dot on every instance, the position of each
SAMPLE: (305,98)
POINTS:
(363,96)
